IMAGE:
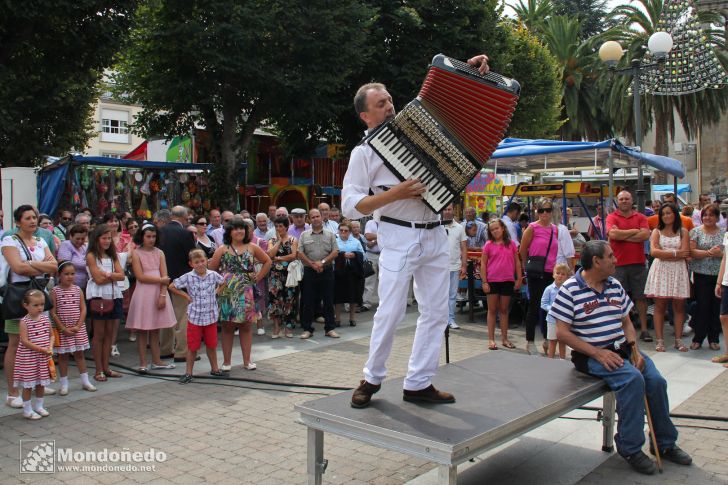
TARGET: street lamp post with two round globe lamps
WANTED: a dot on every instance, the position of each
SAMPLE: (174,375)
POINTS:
(659,44)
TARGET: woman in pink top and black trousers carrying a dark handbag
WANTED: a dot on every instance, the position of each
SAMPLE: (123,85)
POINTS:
(539,247)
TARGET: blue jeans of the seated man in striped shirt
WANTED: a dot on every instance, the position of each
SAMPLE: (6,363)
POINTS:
(629,386)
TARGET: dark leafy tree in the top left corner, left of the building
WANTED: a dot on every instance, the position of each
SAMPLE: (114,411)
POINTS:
(52,54)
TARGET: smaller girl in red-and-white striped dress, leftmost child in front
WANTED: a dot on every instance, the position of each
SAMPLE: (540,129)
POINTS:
(35,350)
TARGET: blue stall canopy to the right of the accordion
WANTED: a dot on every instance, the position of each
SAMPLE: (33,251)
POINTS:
(518,154)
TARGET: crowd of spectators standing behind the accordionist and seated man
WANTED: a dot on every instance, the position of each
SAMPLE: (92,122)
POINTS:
(173,279)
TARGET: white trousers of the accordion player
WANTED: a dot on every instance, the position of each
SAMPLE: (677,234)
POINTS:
(407,253)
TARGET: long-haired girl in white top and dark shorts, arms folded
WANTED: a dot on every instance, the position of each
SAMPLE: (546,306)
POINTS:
(105,306)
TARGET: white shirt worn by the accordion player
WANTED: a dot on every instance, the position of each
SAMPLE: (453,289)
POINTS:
(367,171)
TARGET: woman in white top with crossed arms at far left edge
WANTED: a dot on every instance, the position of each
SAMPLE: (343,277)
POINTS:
(28,258)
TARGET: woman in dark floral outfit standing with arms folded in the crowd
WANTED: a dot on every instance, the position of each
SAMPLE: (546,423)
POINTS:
(282,250)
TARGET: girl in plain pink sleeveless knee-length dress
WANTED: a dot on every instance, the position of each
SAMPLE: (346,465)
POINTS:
(151,308)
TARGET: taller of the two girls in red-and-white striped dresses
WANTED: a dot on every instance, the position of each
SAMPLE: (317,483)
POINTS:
(69,316)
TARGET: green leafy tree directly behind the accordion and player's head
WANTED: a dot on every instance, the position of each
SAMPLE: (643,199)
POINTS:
(409,33)
